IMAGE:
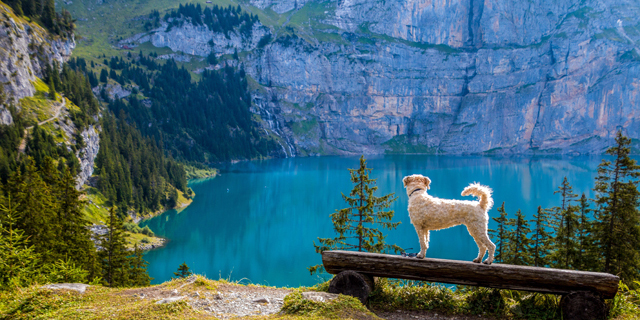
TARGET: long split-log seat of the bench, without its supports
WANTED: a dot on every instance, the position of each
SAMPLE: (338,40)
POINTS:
(502,276)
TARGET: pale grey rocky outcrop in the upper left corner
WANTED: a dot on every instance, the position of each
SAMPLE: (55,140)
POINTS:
(25,49)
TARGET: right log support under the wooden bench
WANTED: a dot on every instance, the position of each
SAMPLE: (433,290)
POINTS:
(583,305)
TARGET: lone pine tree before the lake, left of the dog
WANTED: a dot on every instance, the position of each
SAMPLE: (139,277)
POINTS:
(356,224)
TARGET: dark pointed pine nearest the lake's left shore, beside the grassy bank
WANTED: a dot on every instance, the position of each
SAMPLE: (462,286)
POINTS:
(113,256)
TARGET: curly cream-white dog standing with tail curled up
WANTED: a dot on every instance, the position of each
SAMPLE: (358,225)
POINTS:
(430,213)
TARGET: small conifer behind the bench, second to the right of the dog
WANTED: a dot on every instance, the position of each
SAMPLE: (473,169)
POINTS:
(520,244)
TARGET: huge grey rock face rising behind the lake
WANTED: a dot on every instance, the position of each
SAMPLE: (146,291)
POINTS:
(462,76)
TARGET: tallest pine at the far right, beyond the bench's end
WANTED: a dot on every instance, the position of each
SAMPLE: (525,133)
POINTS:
(617,229)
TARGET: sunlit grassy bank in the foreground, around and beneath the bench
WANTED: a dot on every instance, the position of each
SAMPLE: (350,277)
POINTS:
(198,292)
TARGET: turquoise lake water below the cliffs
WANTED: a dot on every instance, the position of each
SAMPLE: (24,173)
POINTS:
(258,219)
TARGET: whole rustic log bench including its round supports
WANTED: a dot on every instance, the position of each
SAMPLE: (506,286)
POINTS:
(583,292)
